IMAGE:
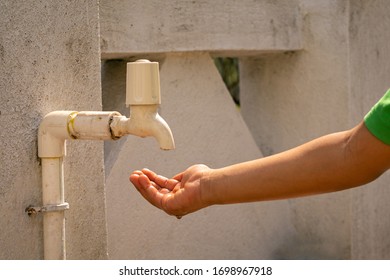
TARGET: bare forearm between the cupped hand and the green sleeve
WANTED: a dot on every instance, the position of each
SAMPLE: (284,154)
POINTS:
(330,163)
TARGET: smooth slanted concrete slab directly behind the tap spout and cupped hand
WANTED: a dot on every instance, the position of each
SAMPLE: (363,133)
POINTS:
(208,129)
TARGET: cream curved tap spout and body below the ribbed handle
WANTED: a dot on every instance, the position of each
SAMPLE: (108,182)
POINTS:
(144,121)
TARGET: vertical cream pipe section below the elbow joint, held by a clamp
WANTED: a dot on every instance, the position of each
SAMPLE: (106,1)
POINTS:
(53,222)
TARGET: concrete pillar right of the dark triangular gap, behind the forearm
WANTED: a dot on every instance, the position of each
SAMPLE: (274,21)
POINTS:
(288,99)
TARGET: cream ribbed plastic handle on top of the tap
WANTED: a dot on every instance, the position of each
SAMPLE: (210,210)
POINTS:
(142,83)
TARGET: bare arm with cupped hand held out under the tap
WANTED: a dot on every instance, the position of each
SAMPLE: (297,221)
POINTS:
(331,163)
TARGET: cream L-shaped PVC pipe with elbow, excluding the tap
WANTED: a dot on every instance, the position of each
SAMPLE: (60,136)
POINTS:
(55,129)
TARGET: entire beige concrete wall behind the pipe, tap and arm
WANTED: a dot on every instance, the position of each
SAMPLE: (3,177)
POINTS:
(307,68)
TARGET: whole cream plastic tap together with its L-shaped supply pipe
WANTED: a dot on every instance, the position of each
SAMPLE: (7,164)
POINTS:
(143,95)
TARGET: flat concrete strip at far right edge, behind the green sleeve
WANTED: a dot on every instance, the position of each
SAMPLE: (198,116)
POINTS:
(369,67)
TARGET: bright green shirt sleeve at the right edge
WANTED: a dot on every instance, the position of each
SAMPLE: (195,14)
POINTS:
(377,119)
